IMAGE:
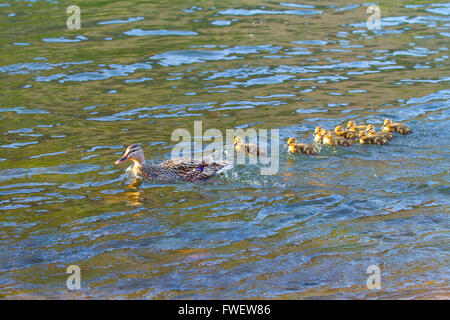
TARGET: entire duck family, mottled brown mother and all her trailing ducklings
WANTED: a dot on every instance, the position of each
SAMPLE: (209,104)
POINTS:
(196,170)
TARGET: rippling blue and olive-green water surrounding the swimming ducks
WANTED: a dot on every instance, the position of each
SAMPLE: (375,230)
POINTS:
(72,100)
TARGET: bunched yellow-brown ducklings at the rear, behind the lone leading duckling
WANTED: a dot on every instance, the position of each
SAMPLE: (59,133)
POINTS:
(364,134)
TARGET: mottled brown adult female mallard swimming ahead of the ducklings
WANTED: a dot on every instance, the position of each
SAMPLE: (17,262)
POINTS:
(173,169)
